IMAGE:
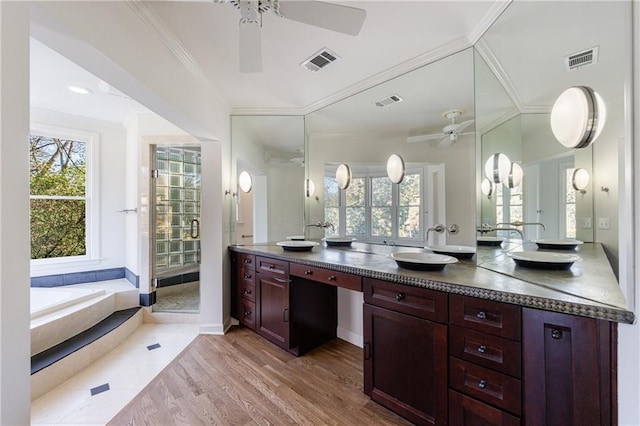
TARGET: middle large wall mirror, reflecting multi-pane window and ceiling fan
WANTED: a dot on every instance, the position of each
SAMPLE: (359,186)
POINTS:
(406,116)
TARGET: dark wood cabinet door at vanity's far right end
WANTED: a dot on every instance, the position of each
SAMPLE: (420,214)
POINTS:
(567,369)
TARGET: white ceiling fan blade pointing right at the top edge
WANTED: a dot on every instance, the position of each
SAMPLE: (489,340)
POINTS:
(335,17)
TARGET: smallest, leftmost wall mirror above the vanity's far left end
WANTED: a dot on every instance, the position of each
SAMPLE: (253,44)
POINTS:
(270,150)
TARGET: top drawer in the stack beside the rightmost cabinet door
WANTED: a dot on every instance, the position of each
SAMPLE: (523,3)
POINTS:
(499,319)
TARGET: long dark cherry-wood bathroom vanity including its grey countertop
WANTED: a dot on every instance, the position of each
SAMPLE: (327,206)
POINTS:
(465,345)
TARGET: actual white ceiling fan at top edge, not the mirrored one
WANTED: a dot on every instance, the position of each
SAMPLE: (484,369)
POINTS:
(335,17)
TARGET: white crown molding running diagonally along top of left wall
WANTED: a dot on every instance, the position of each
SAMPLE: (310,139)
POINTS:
(173,43)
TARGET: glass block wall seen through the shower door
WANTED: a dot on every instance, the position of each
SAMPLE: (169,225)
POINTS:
(177,192)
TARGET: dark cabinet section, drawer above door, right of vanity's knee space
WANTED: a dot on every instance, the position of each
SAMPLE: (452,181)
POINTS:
(405,350)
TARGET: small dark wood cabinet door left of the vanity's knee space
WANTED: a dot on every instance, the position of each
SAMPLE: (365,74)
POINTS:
(272,307)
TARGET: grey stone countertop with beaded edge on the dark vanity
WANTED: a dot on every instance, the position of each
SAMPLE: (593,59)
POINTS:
(588,289)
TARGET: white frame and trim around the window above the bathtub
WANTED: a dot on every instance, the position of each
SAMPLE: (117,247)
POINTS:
(112,163)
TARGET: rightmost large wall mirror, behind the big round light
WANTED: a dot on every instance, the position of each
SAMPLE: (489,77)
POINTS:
(522,66)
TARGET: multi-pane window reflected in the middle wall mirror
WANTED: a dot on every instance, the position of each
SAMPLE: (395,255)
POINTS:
(374,209)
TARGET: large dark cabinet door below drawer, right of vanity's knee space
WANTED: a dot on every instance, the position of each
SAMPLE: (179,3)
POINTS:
(405,366)
